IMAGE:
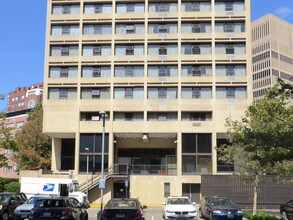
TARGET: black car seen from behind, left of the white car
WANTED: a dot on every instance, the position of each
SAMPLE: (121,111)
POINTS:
(123,208)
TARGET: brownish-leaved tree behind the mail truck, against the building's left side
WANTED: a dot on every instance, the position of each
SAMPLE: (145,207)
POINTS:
(34,148)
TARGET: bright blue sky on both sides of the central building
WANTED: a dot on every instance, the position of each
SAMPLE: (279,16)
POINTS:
(22,38)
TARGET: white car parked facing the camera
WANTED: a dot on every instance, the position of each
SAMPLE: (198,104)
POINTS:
(179,207)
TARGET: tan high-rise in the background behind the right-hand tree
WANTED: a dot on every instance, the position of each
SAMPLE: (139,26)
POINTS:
(272,53)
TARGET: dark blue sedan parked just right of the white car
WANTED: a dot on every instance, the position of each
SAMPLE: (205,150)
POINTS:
(214,207)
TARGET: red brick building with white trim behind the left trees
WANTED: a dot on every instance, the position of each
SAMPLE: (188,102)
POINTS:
(20,102)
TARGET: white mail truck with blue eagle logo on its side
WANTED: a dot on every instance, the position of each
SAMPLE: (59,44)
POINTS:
(52,186)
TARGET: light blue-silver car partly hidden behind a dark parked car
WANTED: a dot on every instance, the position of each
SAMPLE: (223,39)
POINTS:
(23,211)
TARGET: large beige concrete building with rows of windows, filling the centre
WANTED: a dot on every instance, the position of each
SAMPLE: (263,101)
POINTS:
(166,73)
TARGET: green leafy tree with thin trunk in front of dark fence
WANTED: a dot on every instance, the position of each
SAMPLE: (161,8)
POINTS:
(262,142)
